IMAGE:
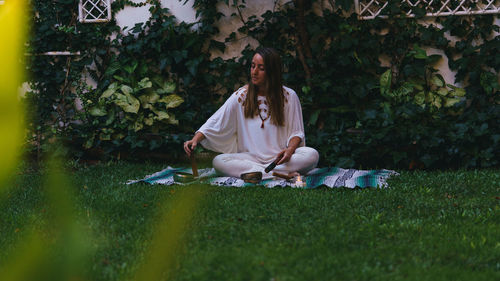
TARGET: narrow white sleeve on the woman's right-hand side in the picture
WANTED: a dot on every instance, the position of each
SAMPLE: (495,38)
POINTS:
(294,120)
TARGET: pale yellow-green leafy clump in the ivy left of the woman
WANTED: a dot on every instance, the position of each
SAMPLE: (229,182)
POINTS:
(132,105)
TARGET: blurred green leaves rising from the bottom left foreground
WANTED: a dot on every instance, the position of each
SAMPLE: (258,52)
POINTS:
(61,243)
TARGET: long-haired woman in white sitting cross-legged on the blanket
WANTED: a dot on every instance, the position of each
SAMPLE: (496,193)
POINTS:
(259,124)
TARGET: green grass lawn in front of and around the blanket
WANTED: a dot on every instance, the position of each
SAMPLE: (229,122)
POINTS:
(426,226)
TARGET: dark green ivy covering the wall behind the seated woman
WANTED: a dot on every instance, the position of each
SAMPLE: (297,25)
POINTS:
(357,112)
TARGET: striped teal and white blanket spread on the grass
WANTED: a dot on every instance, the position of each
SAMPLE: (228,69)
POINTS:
(331,177)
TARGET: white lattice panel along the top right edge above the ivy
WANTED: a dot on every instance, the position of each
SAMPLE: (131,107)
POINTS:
(370,9)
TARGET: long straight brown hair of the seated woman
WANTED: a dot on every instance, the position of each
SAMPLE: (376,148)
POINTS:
(273,88)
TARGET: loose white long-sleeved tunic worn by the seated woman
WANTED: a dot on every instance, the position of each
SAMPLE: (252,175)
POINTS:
(228,131)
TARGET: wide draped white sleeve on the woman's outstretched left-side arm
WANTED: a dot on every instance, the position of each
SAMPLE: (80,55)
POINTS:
(220,129)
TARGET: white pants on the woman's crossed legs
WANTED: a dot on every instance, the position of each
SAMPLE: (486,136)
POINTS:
(234,164)
